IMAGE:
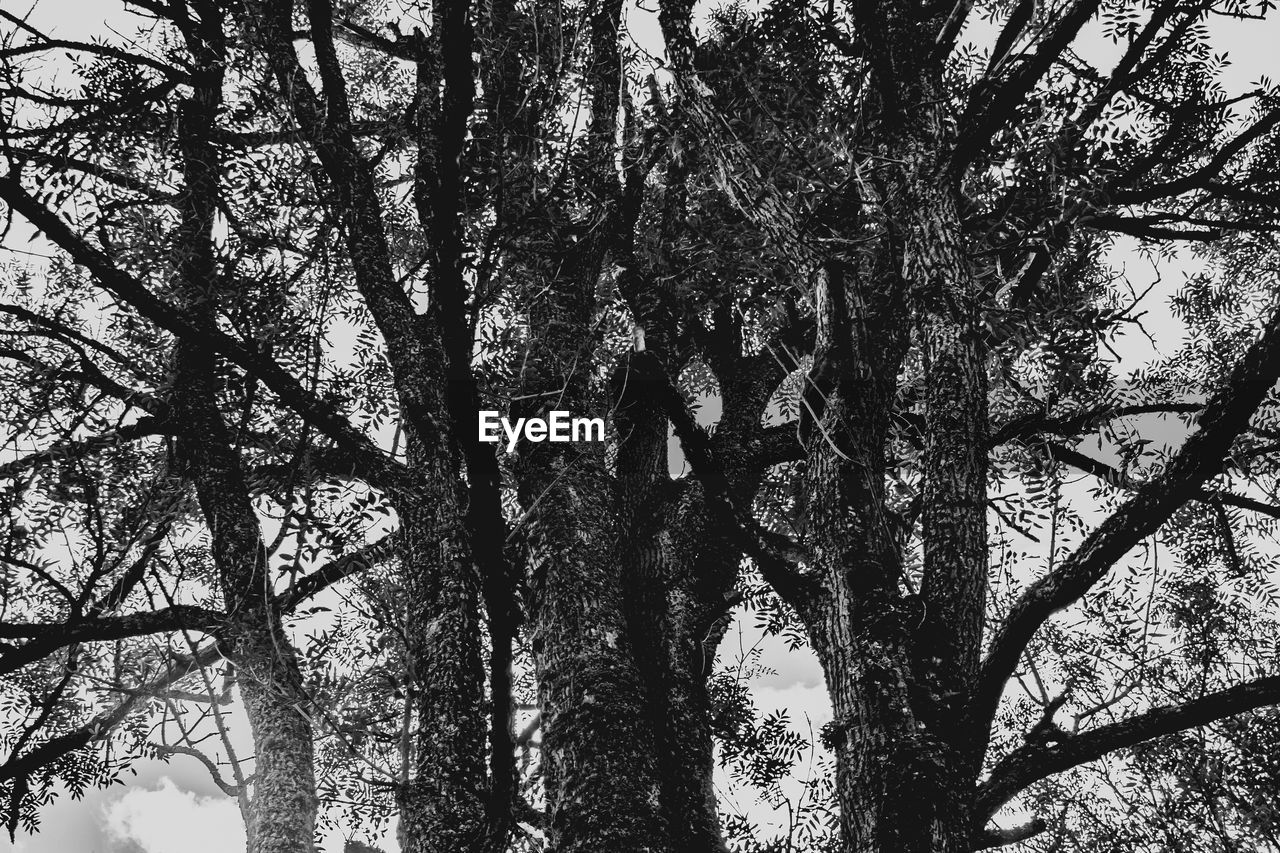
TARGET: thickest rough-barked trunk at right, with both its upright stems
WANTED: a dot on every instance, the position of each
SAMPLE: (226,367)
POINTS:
(900,663)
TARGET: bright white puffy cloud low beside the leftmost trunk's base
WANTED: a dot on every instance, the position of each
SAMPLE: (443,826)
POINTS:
(171,820)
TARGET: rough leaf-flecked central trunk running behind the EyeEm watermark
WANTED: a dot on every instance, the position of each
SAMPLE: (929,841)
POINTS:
(598,743)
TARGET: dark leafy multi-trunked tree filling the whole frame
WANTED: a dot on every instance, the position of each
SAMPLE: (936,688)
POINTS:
(880,244)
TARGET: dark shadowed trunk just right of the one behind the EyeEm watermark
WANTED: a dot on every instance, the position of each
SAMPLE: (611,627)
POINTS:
(675,590)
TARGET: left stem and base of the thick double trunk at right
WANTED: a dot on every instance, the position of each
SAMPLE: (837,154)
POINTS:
(898,781)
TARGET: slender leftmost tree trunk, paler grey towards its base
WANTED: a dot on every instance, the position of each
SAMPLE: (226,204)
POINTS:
(285,800)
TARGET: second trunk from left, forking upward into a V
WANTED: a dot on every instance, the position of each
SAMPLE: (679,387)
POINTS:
(445,801)
